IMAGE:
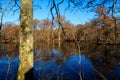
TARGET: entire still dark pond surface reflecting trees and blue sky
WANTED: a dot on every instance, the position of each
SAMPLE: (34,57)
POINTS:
(64,62)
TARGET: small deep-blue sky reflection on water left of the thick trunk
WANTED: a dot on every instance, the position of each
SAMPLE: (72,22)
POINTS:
(8,69)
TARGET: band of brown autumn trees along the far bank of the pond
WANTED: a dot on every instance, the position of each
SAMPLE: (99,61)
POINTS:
(99,30)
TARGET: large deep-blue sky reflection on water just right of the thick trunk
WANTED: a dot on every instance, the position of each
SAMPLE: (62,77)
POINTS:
(74,68)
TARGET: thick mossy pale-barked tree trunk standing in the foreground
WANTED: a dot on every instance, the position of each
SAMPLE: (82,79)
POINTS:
(26,39)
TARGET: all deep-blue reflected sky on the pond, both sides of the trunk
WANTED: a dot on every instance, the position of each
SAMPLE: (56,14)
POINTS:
(74,68)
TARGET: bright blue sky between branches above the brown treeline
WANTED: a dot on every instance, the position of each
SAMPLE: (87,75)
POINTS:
(75,17)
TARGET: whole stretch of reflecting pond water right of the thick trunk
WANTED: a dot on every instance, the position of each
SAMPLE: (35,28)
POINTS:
(62,62)
